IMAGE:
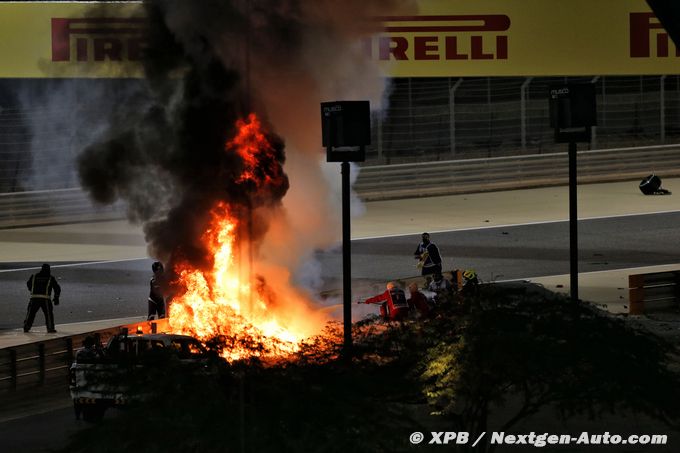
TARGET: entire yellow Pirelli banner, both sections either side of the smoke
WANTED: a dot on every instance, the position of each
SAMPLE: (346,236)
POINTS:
(445,38)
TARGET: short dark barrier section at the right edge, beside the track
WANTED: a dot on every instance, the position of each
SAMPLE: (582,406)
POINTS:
(653,292)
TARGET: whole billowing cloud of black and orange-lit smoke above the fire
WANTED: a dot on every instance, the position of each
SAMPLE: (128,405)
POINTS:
(210,63)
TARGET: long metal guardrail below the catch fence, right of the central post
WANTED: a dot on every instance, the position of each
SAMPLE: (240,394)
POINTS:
(383,182)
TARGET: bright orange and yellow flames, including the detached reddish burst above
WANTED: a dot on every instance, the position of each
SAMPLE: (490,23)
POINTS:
(232,300)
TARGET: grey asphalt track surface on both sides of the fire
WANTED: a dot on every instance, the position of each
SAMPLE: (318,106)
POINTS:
(108,290)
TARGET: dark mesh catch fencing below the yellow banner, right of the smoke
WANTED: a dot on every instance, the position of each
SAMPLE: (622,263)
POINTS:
(474,117)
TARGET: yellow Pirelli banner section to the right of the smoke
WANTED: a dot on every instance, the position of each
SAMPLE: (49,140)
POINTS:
(527,38)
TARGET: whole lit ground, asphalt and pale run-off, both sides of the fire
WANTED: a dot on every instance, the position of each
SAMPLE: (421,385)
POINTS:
(472,230)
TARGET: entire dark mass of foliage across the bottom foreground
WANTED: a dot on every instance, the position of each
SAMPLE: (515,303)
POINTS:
(504,356)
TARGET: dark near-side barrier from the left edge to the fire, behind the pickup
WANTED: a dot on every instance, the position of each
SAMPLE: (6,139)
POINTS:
(47,363)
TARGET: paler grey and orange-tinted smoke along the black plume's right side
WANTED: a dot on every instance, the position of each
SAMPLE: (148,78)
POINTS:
(331,65)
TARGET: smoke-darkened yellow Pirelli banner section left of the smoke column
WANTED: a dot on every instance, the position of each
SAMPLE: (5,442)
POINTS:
(71,39)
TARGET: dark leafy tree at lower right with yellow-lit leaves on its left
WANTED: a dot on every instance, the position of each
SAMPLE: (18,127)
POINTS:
(531,354)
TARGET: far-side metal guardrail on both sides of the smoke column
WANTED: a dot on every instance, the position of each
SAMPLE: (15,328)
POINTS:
(383,182)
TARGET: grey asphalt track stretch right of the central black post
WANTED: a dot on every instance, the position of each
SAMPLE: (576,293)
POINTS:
(535,250)
